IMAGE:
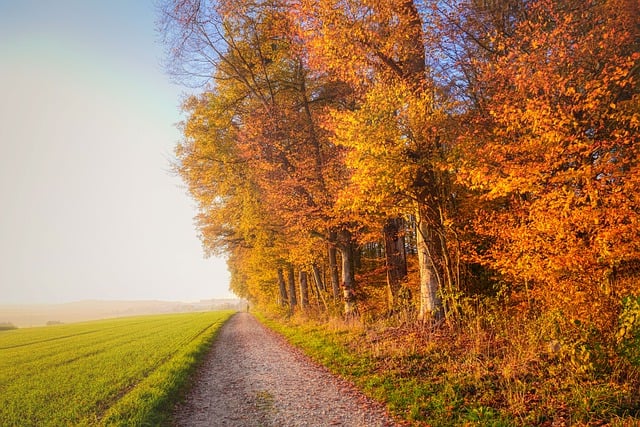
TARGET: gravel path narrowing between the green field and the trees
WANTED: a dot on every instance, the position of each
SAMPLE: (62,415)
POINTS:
(252,377)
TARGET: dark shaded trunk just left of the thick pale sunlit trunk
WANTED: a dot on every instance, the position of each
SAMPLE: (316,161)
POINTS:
(395,257)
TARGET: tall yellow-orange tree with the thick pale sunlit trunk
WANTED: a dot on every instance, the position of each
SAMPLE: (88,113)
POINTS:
(397,150)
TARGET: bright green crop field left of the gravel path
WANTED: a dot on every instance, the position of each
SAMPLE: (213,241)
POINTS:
(126,371)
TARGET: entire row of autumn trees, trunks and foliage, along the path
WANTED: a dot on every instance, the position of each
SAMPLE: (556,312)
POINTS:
(390,155)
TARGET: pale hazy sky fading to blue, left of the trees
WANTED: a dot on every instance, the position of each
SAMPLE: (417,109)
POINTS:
(89,207)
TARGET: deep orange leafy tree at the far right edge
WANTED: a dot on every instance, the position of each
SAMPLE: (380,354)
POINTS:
(555,150)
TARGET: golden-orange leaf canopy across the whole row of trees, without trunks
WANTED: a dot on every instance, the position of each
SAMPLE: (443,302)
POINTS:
(529,147)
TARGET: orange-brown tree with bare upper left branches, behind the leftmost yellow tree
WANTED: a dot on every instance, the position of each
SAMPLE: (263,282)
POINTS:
(257,67)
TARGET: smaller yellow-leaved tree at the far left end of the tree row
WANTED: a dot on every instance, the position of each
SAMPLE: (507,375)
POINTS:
(232,218)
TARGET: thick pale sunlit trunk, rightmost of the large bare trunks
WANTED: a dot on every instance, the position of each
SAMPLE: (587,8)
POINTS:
(430,303)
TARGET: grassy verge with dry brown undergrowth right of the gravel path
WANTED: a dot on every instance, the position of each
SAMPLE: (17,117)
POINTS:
(481,371)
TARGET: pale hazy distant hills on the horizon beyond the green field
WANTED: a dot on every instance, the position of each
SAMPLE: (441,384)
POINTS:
(25,315)
